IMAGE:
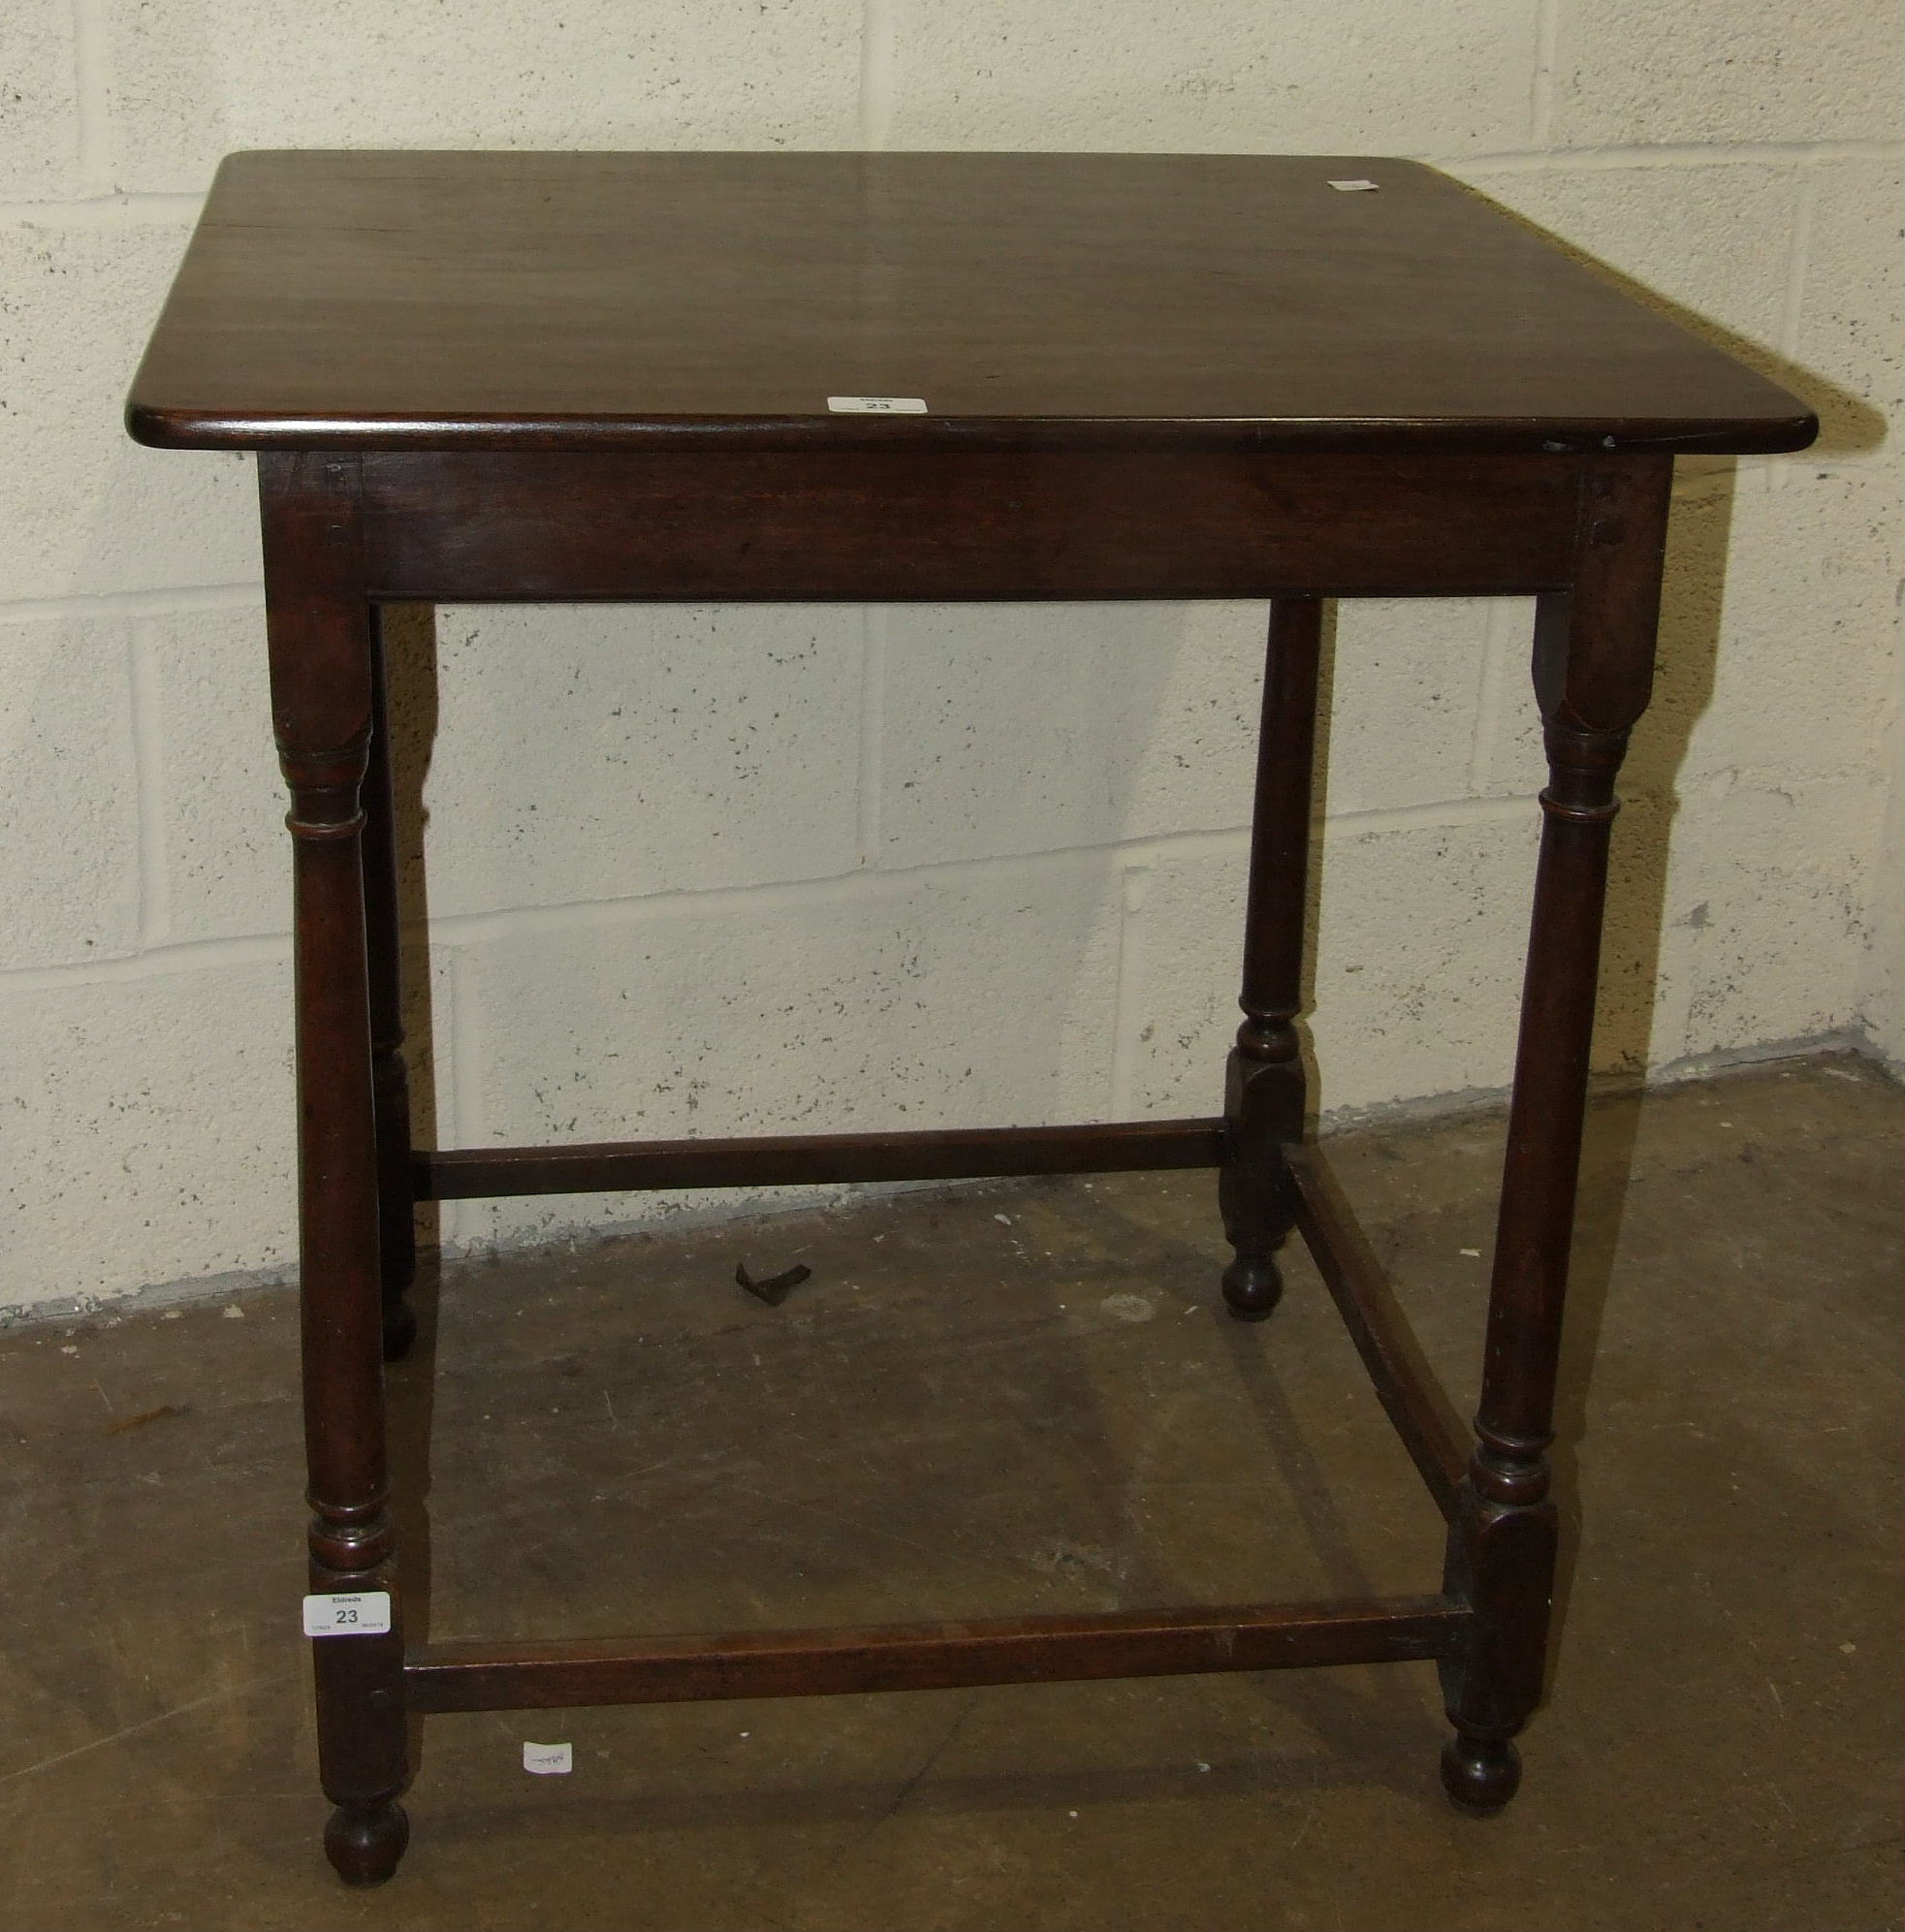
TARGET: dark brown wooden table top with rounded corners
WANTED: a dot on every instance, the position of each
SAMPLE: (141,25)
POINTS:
(590,300)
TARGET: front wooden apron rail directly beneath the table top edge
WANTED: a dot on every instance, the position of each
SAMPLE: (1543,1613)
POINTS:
(950,525)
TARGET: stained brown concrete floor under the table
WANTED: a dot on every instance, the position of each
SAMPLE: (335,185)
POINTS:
(1015,1400)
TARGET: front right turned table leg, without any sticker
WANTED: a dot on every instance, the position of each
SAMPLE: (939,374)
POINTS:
(1593,669)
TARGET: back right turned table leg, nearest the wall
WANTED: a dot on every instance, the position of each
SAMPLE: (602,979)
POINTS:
(1265,1087)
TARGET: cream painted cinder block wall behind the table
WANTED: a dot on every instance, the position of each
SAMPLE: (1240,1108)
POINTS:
(725,870)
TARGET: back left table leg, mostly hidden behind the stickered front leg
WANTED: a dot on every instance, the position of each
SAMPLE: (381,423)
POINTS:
(397,1234)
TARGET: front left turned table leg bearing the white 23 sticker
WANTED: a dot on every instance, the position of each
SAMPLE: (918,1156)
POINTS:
(322,706)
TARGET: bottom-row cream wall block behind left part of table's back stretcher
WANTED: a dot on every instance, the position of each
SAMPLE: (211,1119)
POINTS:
(961,998)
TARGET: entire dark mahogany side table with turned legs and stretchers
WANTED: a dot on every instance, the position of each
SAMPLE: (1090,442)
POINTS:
(720,378)
